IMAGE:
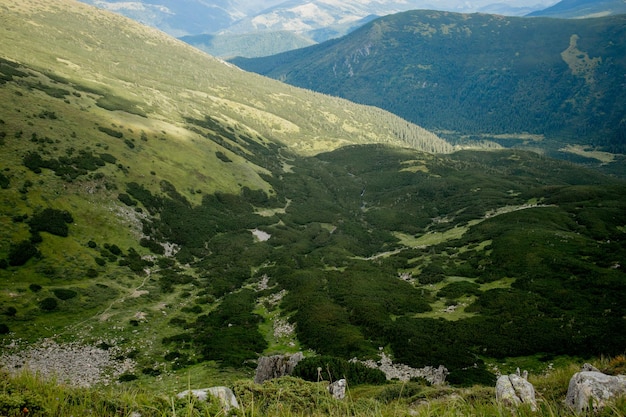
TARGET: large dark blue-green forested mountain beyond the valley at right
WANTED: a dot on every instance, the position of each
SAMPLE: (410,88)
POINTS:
(539,83)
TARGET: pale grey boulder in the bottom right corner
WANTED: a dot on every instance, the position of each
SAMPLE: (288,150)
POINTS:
(595,388)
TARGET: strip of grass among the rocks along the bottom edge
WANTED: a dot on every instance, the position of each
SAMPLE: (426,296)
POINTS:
(26,394)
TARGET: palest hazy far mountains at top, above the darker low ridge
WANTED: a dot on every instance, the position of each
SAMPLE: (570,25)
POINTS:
(193,17)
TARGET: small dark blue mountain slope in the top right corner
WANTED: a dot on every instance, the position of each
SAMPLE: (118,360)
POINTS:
(583,9)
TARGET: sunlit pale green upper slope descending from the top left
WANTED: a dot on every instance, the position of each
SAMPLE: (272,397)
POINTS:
(154,75)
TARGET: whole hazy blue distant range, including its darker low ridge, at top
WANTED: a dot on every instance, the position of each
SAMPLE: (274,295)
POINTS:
(231,28)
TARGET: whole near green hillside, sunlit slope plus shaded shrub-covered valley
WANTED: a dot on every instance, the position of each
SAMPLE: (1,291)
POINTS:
(186,217)
